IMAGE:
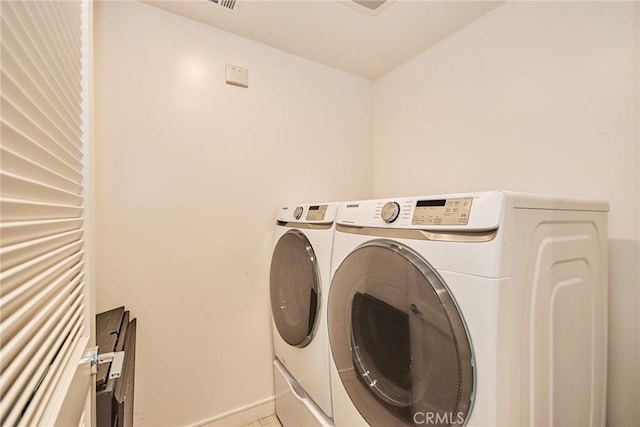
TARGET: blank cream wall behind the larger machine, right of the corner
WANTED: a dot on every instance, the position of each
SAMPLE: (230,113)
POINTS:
(539,97)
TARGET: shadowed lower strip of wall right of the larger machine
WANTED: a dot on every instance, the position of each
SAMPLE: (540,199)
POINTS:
(624,333)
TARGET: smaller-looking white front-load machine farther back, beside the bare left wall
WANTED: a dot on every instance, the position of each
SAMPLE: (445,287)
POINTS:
(299,283)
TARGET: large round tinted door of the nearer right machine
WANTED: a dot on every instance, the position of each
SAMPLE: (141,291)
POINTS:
(399,342)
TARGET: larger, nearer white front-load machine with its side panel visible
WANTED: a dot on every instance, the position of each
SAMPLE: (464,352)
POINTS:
(481,309)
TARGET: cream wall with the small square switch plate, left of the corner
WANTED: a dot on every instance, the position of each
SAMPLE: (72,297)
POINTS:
(189,173)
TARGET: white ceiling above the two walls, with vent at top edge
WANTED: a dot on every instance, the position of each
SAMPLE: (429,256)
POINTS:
(336,32)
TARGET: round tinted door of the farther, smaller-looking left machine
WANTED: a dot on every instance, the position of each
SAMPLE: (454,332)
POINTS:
(295,288)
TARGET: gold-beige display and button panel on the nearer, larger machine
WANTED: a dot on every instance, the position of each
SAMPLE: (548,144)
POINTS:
(442,211)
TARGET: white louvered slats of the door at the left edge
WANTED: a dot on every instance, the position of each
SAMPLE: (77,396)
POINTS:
(42,295)
